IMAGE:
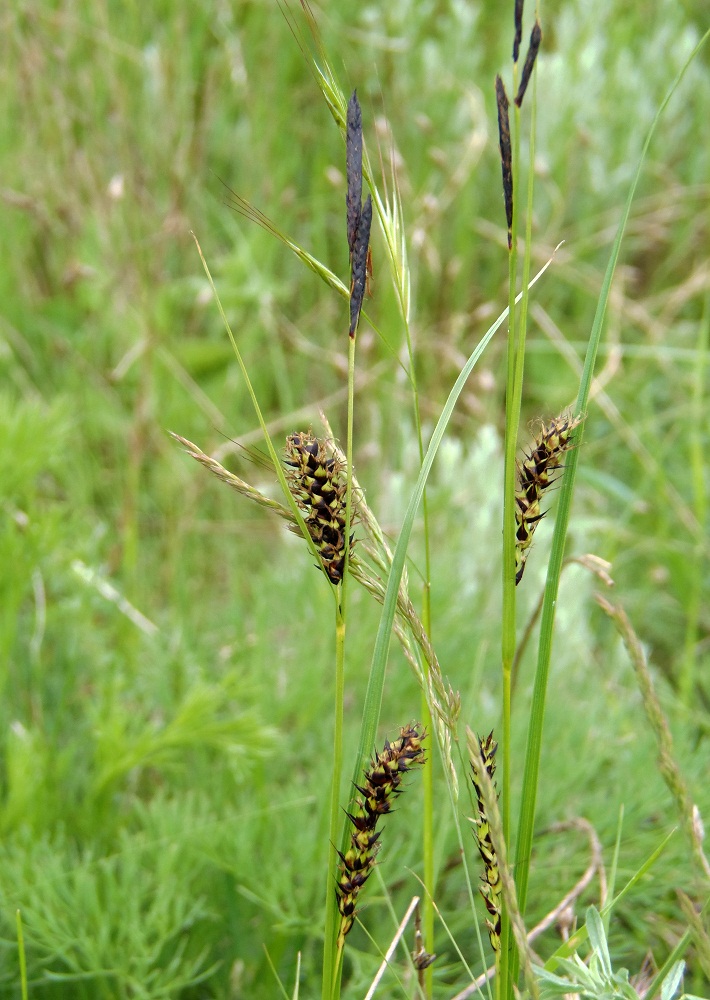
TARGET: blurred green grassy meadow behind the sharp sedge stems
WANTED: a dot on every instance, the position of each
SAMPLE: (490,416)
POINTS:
(166,648)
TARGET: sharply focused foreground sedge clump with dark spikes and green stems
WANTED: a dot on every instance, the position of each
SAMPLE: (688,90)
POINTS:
(326,505)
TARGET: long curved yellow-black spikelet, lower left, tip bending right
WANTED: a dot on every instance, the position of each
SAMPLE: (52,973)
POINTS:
(380,786)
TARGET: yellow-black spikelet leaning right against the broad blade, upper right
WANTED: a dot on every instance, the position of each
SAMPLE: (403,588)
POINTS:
(534,477)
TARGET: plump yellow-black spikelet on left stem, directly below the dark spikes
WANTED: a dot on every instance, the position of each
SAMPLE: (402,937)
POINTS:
(318,482)
